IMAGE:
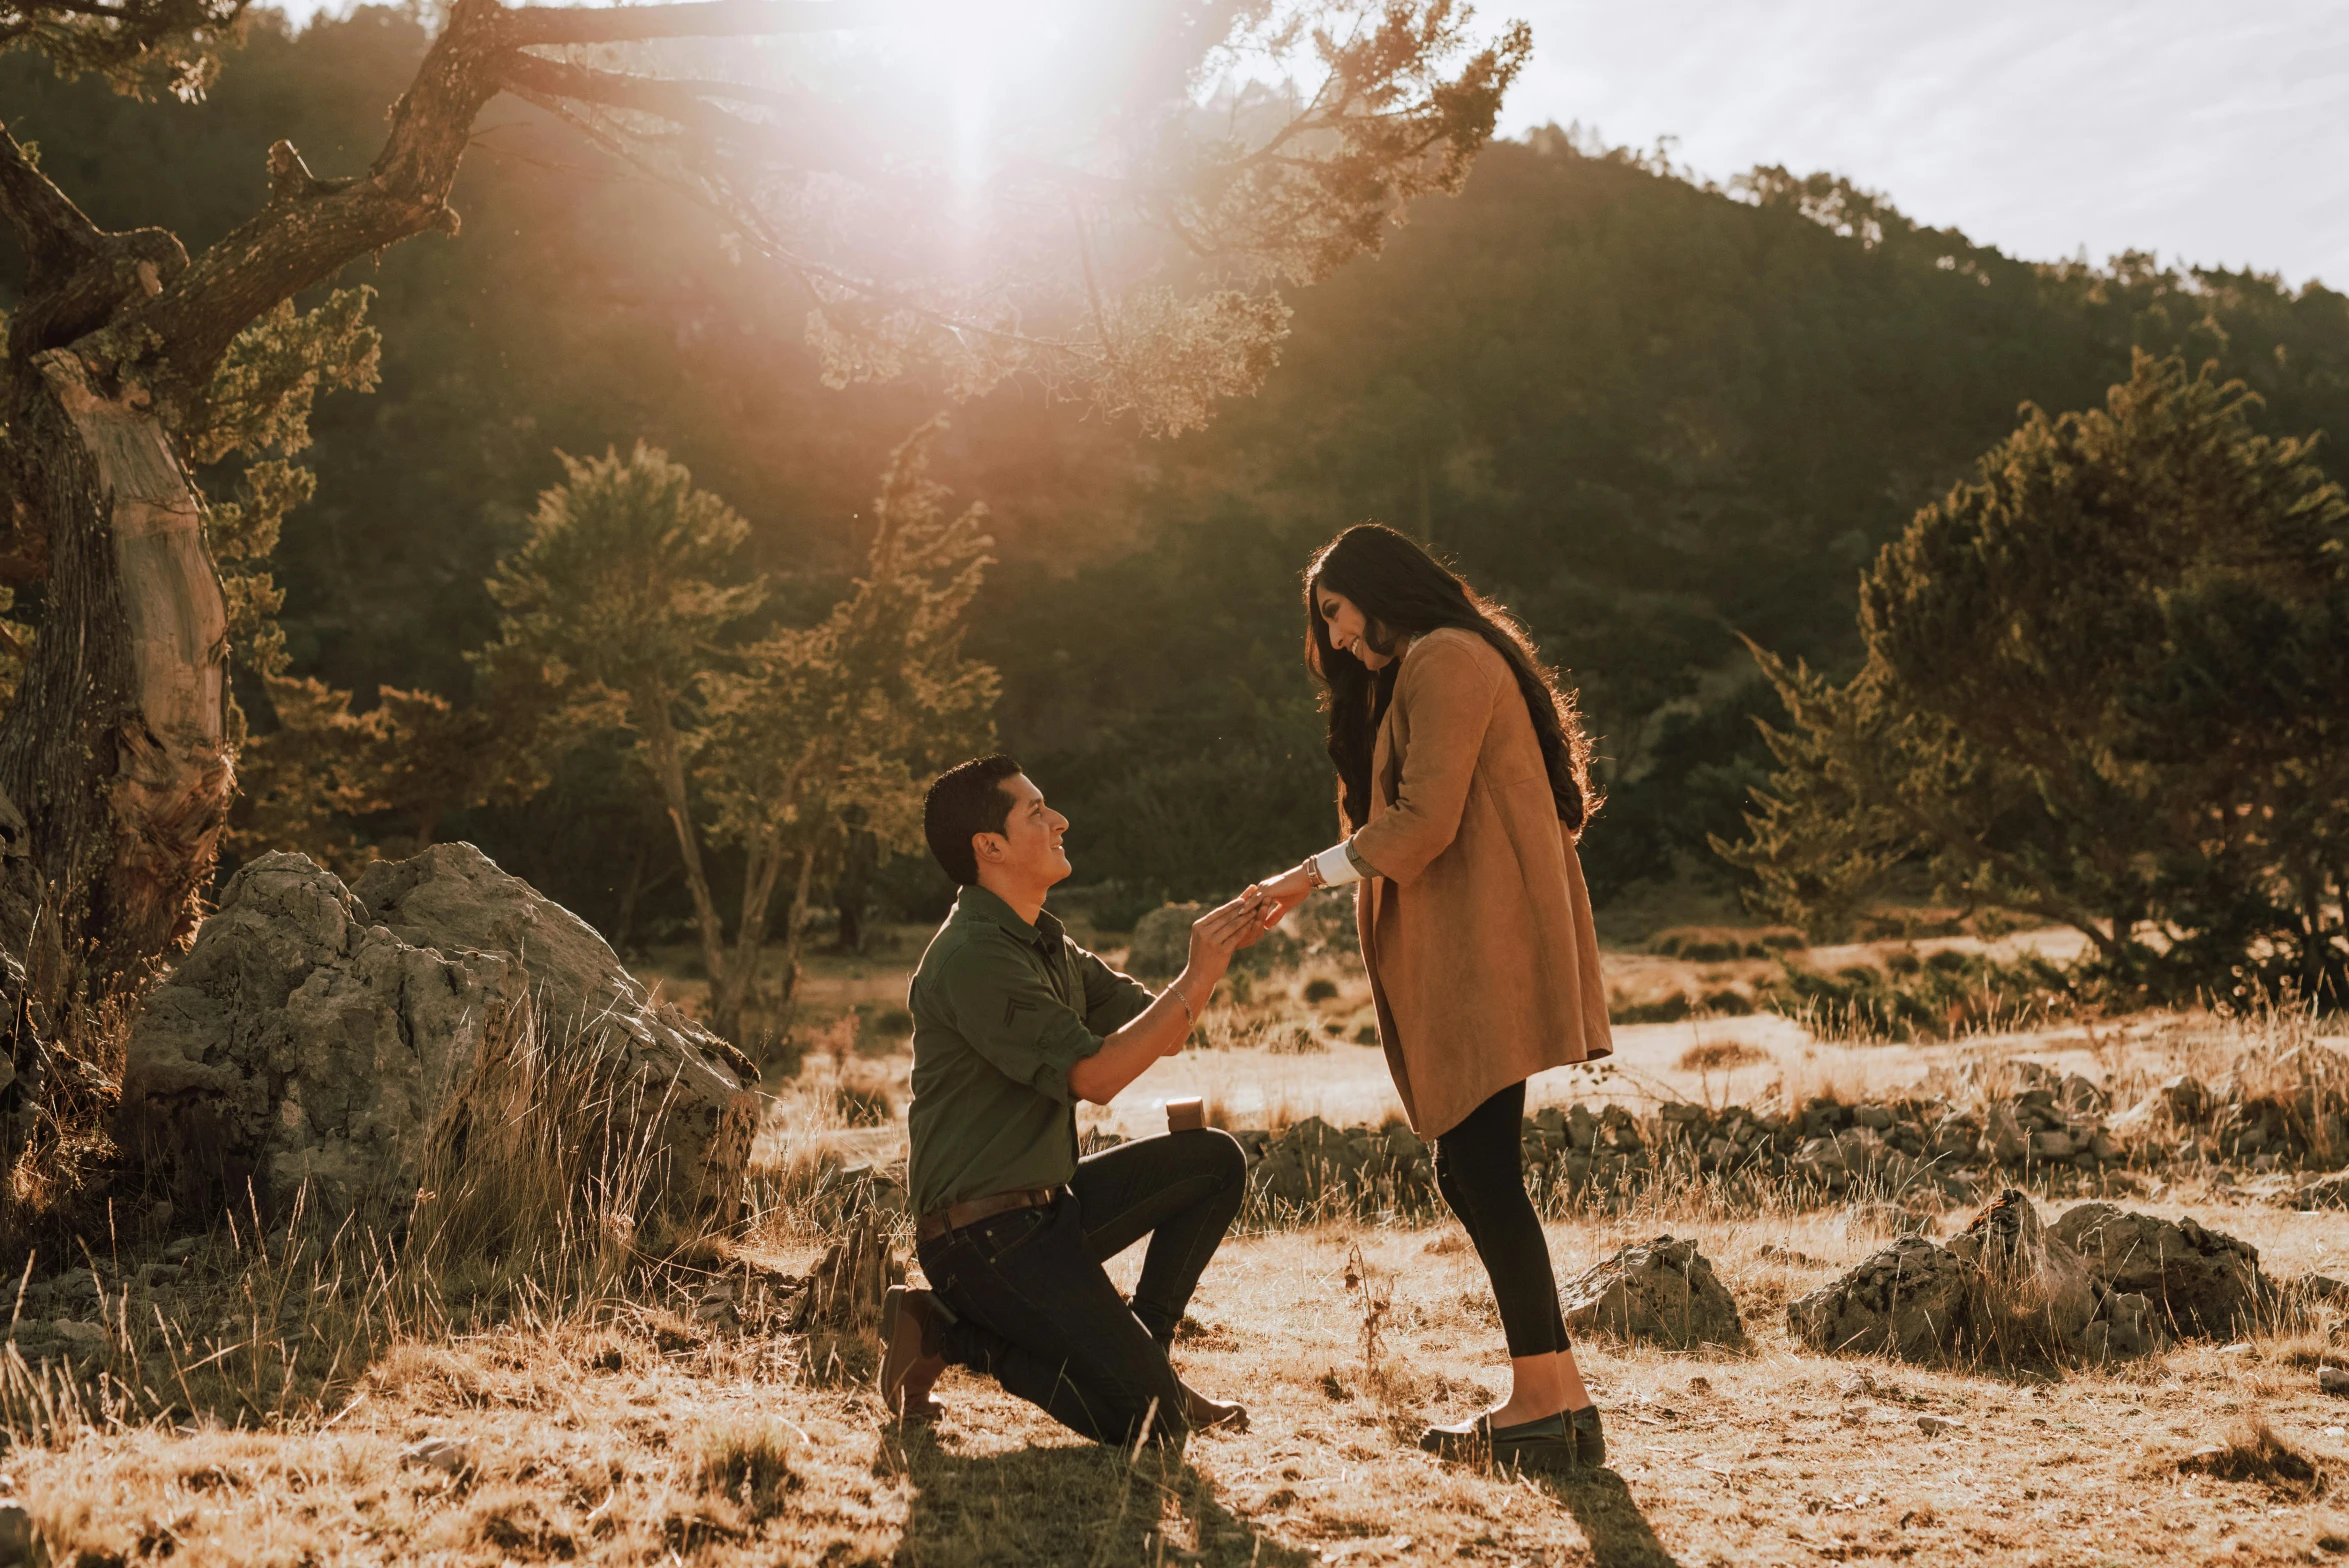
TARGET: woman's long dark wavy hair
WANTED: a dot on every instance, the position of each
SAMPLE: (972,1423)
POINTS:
(1408,593)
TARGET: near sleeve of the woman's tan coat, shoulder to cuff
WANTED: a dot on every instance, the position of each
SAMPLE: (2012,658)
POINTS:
(1448,696)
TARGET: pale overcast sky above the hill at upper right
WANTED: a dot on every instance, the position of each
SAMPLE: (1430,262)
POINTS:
(2205,133)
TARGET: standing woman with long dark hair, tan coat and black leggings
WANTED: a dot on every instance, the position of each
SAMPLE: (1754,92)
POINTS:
(1462,785)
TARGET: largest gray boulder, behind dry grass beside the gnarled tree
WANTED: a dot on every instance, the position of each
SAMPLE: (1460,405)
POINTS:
(325,1039)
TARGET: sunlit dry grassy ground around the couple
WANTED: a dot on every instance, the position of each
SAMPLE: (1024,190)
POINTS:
(638,1435)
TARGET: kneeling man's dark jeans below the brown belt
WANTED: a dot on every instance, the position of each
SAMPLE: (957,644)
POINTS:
(1044,1320)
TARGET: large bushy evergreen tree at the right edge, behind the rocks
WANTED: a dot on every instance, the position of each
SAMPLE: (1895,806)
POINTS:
(2104,687)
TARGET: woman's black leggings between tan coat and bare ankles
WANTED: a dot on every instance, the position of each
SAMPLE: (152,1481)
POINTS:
(1481,1172)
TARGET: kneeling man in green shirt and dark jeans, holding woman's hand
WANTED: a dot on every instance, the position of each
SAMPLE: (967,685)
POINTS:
(1014,1025)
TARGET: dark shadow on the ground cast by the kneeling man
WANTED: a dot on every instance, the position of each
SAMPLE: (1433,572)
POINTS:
(1068,1506)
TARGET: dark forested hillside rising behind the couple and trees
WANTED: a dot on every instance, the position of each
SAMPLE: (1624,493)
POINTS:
(1650,414)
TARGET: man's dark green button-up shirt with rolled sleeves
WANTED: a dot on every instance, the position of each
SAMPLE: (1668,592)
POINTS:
(1002,1013)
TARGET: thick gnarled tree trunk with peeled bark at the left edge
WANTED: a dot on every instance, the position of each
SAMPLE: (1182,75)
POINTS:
(116,743)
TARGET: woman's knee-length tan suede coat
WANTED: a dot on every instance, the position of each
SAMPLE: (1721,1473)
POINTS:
(1476,928)
